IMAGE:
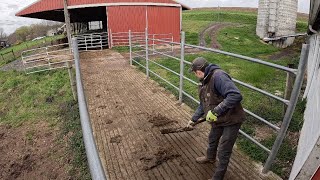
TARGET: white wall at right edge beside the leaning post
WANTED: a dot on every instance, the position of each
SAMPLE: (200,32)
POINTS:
(306,162)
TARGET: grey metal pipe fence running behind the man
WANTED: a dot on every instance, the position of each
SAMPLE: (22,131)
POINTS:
(281,131)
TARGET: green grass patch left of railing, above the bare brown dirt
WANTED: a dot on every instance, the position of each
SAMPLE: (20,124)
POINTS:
(23,97)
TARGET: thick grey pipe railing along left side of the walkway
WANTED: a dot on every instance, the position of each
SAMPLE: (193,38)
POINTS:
(95,166)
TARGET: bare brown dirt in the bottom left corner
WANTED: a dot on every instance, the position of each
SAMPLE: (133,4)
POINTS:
(36,155)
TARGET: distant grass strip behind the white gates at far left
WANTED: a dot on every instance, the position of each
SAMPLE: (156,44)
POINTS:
(12,53)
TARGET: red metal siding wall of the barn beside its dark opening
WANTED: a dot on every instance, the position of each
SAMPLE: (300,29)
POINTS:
(161,20)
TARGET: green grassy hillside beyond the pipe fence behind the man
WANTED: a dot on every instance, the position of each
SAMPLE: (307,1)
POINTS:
(241,39)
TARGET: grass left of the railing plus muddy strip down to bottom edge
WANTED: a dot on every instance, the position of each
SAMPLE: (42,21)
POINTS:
(44,97)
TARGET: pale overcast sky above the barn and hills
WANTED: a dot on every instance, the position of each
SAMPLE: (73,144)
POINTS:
(10,22)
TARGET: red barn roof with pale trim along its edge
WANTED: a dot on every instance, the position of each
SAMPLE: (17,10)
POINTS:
(53,9)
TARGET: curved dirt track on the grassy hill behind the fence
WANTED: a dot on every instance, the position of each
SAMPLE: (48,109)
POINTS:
(212,31)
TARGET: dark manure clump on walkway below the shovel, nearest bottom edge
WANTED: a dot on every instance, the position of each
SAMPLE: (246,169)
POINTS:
(161,155)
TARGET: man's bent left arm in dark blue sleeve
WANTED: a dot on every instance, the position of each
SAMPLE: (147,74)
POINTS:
(228,90)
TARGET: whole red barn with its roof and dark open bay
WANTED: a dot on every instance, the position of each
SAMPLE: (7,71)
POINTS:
(113,16)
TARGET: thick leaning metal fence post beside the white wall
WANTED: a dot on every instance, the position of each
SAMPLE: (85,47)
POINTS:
(289,112)
